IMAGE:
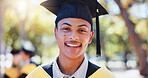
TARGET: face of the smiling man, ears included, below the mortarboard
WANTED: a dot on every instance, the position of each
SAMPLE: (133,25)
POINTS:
(73,35)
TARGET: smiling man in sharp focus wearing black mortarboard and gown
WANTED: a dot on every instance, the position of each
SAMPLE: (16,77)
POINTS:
(73,33)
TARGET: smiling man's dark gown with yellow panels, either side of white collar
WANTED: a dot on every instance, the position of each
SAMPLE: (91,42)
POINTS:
(93,71)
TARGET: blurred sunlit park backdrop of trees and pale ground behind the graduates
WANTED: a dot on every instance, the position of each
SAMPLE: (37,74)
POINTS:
(124,35)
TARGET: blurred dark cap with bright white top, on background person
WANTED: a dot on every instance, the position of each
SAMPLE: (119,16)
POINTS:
(28,48)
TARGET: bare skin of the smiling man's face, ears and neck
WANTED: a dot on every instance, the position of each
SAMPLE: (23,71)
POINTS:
(73,36)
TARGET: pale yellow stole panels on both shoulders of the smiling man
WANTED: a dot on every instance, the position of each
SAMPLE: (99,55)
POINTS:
(103,72)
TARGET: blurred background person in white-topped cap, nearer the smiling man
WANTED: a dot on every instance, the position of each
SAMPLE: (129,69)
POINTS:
(28,50)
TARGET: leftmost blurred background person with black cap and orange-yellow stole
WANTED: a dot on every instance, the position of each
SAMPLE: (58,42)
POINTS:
(13,72)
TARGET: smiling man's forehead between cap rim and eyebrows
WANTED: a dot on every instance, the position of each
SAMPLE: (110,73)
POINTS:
(74,22)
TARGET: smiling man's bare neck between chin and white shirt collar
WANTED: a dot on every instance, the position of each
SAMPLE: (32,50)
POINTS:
(69,66)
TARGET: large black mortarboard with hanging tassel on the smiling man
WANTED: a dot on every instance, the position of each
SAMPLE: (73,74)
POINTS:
(84,9)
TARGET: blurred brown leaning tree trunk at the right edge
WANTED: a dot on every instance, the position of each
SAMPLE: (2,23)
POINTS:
(134,38)
